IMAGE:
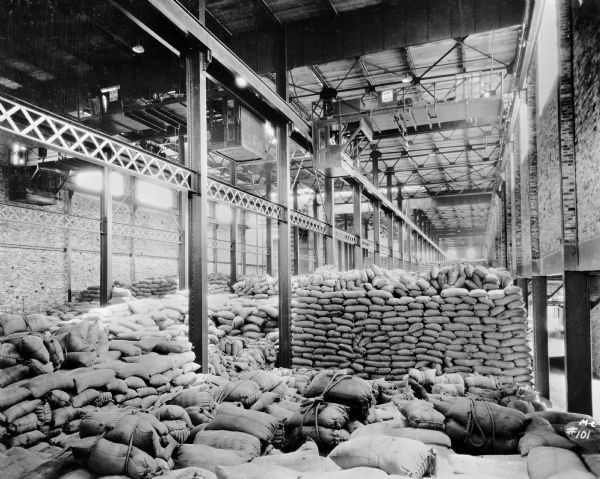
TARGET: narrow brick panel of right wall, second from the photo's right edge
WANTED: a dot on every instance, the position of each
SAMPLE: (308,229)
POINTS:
(549,184)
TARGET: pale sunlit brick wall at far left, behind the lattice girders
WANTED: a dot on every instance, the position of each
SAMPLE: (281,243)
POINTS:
(34,263)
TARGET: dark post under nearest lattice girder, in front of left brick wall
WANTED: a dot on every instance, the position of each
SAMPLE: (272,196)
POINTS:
(106,244)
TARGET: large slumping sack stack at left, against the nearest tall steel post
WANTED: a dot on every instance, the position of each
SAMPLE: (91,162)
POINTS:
(126,354)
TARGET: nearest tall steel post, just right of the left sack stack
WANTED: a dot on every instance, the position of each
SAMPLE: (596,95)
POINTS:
(196,64)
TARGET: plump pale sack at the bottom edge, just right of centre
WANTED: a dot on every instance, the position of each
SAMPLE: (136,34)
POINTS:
(398,455)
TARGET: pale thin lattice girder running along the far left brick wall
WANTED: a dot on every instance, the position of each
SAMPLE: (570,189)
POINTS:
(49,219)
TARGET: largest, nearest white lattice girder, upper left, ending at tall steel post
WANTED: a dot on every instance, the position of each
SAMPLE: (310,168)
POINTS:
(53,132)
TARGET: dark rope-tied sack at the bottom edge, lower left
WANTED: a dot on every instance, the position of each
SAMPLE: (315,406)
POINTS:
(105,458)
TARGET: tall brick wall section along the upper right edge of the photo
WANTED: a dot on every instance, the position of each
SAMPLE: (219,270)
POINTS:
(587,120)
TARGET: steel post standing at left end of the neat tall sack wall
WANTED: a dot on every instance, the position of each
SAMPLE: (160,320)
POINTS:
(283,186)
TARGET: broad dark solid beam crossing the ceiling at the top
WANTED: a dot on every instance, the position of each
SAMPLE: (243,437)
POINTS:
(377,28)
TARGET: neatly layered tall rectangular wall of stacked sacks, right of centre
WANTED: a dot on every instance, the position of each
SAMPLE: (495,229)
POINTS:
(382,323)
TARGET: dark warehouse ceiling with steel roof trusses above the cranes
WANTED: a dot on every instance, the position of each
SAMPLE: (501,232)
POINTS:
(449,66)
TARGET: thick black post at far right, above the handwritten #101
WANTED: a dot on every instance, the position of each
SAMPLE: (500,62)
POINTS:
(578,344)
